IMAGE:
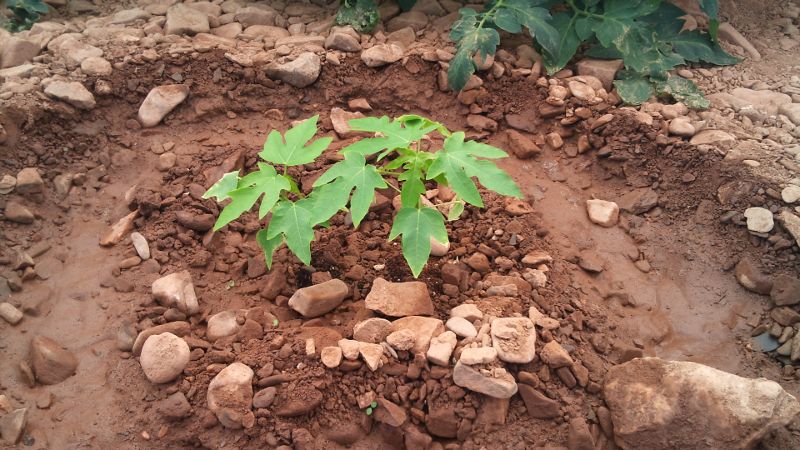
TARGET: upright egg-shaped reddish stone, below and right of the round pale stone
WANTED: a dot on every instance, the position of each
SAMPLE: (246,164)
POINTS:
(230,394)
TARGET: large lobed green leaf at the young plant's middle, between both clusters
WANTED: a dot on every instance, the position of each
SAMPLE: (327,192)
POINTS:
(354,174)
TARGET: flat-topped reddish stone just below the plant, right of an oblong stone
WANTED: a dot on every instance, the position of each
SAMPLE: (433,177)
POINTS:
(399,299)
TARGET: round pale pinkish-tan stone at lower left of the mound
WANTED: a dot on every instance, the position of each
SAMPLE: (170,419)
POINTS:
(163,357)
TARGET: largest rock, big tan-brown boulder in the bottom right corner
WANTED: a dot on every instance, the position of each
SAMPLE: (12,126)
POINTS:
(657,404)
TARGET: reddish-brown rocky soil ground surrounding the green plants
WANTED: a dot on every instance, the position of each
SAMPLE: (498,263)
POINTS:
(647,236)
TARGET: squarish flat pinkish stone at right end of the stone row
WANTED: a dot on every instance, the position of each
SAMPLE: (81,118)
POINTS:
(514,338)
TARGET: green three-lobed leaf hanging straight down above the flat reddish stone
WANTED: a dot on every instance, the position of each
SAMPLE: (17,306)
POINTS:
(417,226)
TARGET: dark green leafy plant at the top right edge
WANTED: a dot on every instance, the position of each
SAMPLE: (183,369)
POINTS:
(647,35)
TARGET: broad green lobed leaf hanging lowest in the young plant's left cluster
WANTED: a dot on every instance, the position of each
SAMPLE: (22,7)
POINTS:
(294,221)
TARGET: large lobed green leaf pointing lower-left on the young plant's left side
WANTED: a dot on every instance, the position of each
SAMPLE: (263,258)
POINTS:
(264,182)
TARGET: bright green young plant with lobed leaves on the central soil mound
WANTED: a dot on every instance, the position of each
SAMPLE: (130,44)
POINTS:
(401,163)
